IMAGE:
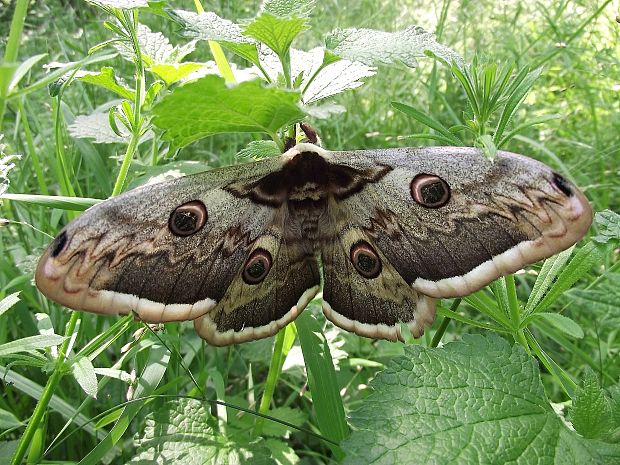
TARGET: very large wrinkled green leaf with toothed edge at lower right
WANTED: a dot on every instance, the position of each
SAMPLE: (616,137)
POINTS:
(479,400)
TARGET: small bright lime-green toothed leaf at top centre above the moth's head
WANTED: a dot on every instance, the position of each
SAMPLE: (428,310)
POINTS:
(276,32)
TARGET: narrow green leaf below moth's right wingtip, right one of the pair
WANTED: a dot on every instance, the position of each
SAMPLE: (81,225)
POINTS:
(583,261)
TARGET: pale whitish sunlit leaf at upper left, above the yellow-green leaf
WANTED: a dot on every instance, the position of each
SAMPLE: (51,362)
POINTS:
(155,48)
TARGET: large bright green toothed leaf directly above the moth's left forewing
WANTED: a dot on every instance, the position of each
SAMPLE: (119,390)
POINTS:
(207,106)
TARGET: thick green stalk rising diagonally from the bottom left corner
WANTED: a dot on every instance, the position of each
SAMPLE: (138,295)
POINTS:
(48,392)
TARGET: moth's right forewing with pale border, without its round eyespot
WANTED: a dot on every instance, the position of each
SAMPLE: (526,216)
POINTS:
(500,216)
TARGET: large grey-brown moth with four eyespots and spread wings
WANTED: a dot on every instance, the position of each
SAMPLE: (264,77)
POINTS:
(242,250)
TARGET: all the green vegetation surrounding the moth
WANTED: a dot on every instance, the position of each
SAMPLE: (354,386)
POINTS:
(104,115)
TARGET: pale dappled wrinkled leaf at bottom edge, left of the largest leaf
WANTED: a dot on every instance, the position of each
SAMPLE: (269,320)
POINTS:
(179,432)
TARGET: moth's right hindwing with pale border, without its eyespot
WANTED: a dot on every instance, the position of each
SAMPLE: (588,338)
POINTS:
(371,307)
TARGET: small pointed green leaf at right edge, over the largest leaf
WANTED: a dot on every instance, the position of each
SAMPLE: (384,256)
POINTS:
(591,411)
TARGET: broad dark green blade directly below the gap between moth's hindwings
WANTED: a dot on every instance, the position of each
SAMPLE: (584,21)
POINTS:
(322,379)
